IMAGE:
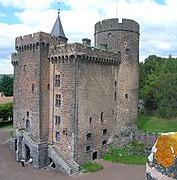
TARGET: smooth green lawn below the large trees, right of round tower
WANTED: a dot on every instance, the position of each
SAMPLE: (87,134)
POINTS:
(156,125)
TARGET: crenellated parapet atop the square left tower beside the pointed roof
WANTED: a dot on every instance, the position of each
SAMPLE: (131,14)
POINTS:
(32,41)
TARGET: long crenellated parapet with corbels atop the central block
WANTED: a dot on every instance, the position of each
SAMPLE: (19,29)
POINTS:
(70,52)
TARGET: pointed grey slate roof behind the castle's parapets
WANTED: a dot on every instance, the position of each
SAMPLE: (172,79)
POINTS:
(57,29)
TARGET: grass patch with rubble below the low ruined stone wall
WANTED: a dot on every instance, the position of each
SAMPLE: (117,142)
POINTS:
(132,154)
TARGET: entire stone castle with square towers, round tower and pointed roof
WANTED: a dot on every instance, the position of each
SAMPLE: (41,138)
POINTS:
(72,100)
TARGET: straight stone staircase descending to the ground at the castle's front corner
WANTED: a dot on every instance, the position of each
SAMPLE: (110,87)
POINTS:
(67,166)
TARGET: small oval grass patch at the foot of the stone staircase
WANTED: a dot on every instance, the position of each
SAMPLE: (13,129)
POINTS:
(91,167)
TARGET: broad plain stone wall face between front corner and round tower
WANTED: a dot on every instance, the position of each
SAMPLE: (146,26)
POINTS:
(96,104)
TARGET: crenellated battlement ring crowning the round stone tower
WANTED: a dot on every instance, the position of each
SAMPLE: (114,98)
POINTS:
(114,24)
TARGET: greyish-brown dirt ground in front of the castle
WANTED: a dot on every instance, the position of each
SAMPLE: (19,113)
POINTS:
(10,169)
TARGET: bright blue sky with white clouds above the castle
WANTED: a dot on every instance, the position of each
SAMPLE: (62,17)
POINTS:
(157,19)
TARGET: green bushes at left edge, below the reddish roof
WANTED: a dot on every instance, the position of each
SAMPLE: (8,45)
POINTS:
(6,111)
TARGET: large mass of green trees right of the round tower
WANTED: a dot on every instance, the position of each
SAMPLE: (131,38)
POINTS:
(158,85)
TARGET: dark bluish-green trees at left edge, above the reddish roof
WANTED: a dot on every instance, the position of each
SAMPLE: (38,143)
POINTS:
(6,84)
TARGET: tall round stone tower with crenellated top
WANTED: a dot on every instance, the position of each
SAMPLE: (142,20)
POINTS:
(113,35)
